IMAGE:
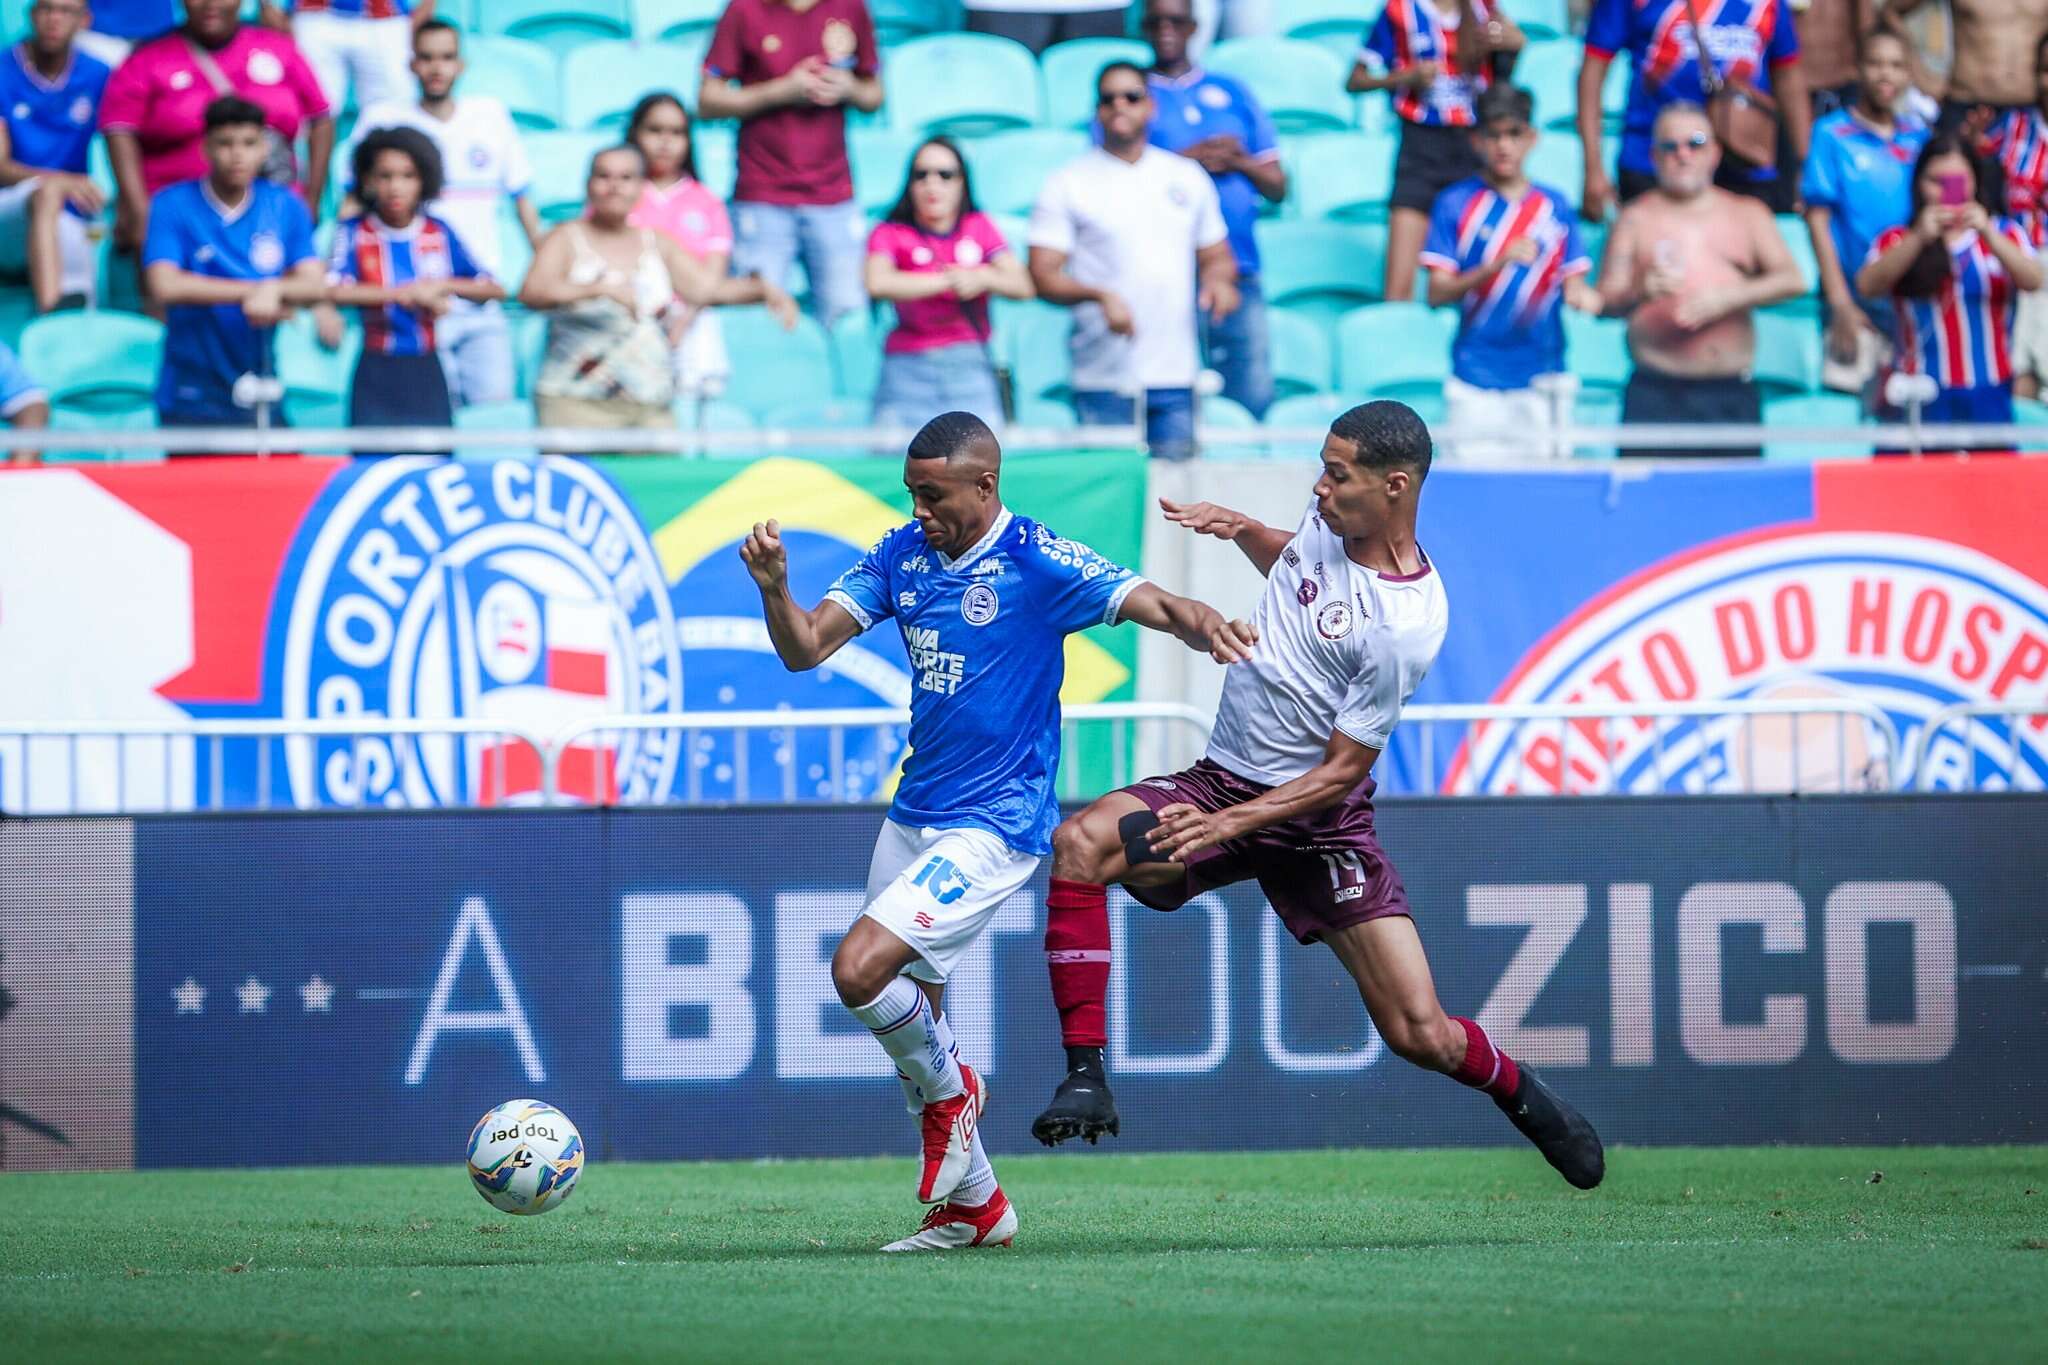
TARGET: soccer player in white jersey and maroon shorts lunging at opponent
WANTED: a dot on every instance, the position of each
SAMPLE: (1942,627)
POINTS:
(1351,621)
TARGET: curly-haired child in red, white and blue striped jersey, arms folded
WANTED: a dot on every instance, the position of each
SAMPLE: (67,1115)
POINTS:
(402,267)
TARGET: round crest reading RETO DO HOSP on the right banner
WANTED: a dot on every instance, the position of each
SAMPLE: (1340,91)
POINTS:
(1908,623)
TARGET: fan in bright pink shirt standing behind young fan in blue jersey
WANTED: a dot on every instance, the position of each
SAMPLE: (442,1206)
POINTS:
(157,107)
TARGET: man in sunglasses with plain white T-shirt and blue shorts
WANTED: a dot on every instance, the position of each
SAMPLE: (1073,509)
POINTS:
(1132,238)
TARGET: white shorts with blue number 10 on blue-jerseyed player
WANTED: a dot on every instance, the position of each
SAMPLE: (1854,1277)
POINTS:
(937,889)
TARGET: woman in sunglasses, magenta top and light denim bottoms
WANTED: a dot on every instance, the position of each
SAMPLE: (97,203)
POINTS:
(939,261)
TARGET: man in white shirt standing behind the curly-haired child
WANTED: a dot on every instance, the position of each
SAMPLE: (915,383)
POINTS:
(484,165)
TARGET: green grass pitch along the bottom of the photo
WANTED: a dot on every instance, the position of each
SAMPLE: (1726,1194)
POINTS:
(1699,1256)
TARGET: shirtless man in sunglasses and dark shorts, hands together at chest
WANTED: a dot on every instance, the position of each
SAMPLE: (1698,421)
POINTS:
(1689,265)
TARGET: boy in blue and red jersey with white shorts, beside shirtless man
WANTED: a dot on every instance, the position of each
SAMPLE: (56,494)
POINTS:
(1508,255)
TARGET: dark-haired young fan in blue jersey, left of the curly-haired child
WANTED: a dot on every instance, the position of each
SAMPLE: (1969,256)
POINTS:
(228,257)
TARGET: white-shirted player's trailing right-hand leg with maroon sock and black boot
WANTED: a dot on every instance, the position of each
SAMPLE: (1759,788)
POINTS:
(1394,977)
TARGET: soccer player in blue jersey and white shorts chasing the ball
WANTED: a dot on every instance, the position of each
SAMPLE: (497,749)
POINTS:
(986,601)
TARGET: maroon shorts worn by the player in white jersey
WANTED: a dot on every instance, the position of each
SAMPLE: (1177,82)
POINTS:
(1322,873)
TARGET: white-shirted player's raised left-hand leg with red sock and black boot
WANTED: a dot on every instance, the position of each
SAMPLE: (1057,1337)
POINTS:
(1089,854)
